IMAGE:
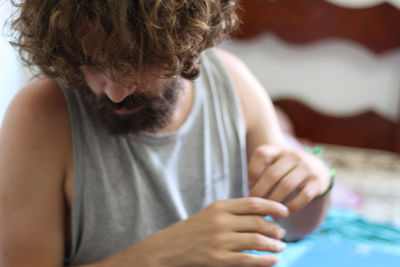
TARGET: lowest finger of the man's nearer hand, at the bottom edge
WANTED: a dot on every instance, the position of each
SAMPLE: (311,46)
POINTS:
(237,259)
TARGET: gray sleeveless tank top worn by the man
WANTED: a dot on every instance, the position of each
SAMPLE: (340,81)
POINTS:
(128,187)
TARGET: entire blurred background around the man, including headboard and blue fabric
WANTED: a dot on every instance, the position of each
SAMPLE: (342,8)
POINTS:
(333,67)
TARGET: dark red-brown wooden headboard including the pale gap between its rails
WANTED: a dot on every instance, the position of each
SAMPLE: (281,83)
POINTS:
(331,65)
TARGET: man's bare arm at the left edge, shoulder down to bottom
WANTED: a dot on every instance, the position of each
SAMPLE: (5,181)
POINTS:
(34,148)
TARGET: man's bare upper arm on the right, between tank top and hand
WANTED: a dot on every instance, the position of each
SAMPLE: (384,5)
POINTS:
(259,114)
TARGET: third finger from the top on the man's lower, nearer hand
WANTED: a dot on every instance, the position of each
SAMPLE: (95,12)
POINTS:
(254,241)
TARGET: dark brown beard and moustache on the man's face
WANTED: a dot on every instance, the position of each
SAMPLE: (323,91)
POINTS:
(150,112)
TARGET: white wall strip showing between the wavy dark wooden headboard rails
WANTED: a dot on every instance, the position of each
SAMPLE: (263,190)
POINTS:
(334,76)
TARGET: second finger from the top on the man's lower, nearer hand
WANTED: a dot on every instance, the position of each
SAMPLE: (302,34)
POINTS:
(257,224)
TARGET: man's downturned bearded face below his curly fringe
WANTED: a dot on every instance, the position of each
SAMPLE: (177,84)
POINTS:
(130,106)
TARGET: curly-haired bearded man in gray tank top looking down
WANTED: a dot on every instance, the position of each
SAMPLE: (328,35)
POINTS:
(141,145)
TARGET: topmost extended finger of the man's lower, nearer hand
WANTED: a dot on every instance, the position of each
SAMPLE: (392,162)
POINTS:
(251,206)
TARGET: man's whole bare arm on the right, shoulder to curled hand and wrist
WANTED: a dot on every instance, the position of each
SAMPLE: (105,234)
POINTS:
(277,170)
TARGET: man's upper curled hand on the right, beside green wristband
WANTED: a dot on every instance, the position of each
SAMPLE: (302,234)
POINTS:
(278,173)
